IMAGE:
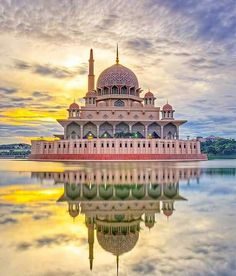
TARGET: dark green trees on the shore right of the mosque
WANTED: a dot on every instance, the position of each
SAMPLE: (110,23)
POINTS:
(219,146)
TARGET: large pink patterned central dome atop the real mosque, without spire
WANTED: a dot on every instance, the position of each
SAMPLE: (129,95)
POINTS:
(117,74)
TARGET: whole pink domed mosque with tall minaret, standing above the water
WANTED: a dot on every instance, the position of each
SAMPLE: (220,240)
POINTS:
(118,123)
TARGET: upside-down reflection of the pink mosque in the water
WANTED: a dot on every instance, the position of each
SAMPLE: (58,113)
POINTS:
(117,200)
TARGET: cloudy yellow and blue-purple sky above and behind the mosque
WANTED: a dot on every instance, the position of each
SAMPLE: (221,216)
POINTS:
(184,51)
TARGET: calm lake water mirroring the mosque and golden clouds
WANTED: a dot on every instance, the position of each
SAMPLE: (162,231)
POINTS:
(109,218)
